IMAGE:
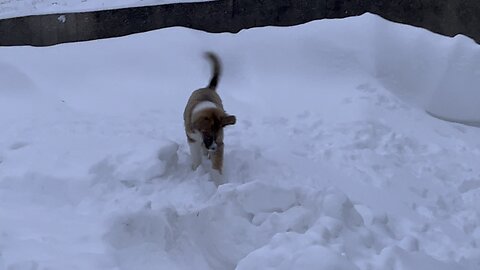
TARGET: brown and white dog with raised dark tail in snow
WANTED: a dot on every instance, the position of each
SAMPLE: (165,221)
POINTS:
(205,118)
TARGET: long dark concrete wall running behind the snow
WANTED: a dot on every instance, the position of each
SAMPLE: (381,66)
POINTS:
(448,17)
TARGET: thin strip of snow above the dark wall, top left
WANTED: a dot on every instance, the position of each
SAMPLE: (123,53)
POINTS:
(17,8)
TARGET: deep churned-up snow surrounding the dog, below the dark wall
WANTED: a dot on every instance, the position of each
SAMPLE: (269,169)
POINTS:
(333,163)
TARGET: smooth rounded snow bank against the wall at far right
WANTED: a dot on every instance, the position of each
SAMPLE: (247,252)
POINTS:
(439,74)
